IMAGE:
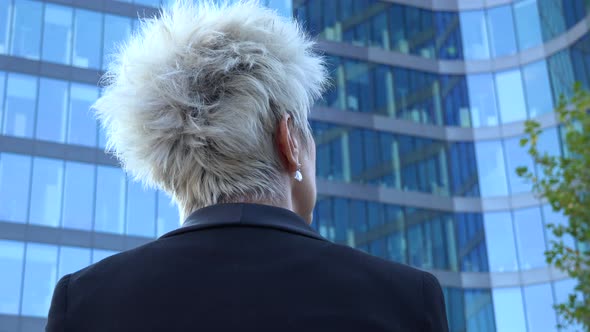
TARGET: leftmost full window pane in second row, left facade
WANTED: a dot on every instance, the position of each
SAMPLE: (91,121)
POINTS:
(19,109)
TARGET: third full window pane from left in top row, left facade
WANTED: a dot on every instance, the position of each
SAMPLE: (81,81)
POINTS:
(87,37)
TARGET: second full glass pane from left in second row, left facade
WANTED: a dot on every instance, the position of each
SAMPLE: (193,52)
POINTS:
(52,112)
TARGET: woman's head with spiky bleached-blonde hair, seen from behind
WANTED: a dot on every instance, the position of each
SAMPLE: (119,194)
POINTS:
(210,104)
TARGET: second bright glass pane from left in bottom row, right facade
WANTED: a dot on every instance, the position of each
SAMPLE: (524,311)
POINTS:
(539,308)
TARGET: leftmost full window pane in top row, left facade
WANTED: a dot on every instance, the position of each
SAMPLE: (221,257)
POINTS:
(26,27)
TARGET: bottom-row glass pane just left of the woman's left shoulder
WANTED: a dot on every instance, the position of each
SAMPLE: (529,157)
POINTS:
(40,279)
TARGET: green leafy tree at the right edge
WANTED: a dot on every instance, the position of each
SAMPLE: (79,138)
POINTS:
(564,182)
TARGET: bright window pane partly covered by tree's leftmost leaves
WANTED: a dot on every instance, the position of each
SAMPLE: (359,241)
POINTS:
(517,156)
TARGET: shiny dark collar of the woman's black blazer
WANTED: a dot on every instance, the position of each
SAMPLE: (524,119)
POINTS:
(246,214)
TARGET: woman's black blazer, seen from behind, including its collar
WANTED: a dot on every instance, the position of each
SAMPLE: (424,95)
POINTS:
(246,267)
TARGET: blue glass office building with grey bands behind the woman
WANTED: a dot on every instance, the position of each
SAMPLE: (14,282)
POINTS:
(417,142)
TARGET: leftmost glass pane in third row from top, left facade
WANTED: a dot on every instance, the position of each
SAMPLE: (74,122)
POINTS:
(15,173)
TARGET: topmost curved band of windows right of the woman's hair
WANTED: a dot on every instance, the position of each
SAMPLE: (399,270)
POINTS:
(471,35)
